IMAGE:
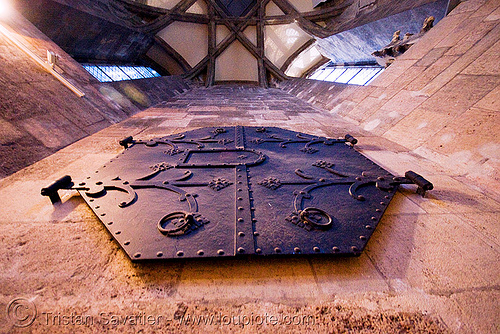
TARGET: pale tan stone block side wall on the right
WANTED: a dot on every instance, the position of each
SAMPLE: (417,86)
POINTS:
(439,99)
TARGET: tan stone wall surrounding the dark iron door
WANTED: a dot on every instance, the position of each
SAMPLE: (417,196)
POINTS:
(431,266)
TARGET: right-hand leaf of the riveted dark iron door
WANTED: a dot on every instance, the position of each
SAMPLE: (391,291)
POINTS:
(316,178)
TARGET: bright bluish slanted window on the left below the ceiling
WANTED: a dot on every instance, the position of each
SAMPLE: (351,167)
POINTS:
(108,73)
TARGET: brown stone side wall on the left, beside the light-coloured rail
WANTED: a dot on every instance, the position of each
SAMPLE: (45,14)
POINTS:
(39,115)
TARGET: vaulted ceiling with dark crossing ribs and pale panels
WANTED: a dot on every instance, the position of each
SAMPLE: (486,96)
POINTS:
(211,40)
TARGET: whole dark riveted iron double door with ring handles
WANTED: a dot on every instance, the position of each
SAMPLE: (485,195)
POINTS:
(233,191)
